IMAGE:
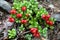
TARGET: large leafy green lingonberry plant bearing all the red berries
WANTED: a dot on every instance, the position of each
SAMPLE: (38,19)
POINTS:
(30,19)
